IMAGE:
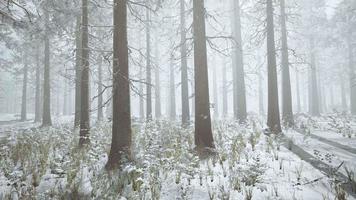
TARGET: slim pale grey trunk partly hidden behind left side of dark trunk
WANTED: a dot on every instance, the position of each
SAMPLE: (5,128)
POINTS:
(78,71)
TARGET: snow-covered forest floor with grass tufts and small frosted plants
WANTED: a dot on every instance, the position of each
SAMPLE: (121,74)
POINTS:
(46,163)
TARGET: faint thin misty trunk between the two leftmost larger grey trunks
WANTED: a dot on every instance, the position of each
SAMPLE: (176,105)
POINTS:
(38,87)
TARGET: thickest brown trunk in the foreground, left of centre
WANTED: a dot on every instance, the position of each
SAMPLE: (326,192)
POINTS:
(121,126)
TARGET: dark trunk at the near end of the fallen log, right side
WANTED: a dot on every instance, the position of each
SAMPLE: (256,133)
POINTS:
(273,118)
